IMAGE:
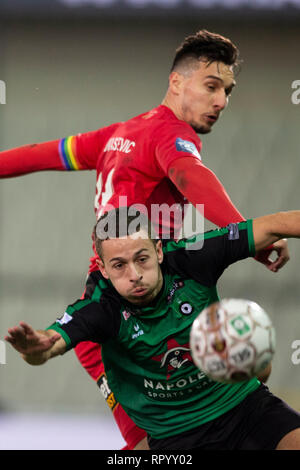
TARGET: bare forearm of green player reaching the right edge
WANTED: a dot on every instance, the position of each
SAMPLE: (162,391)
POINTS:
(270,228)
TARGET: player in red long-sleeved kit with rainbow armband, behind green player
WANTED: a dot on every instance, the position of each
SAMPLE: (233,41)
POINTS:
(152,159)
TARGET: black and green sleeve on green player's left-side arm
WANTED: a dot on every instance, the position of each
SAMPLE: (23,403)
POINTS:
(87,320)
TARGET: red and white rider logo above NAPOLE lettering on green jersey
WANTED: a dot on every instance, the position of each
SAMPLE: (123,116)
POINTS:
(175,357)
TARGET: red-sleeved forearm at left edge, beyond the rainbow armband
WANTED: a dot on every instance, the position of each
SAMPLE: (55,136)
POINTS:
(30,158)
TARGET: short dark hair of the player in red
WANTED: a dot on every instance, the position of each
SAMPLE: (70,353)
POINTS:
(207,46)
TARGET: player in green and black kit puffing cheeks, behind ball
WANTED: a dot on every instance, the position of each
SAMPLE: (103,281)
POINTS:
(140,306)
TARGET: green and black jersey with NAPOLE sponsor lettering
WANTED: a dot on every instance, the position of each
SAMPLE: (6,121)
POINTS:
(146,350)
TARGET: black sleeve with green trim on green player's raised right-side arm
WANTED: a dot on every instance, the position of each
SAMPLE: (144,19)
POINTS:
(204,257)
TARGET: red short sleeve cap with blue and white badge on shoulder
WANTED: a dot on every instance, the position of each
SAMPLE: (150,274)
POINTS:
(175,142)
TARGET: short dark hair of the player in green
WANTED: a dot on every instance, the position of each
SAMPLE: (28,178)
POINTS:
(122,222)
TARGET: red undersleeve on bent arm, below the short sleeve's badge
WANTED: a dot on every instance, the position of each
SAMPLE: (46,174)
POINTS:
(201,186)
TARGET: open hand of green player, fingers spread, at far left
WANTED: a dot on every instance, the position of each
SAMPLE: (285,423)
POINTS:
(28,341)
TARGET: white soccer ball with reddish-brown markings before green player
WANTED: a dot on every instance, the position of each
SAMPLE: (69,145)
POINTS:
(232,340)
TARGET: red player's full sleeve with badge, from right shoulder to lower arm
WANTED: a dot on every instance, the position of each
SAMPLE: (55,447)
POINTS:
(177,150)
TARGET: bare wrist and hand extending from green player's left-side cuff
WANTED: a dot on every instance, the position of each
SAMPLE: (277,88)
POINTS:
(35,346)
